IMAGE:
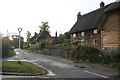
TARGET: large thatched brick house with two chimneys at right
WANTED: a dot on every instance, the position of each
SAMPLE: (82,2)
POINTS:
(98,28)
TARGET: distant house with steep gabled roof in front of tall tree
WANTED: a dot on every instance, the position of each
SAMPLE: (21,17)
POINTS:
(44,36)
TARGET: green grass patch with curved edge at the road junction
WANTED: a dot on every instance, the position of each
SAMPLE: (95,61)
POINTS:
(22,67)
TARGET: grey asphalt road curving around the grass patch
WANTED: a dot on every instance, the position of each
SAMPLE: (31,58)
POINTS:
(59,68)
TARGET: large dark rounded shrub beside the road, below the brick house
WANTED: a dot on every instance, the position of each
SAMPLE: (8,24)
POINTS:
(86,53)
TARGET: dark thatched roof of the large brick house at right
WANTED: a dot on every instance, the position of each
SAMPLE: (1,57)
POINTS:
(93,19)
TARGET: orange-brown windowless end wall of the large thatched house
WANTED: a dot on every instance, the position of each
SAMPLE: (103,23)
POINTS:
(110,31)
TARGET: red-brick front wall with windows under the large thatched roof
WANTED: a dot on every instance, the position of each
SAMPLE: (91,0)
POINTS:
(88,38)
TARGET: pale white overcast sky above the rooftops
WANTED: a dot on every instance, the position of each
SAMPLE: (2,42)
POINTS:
(28,14)
